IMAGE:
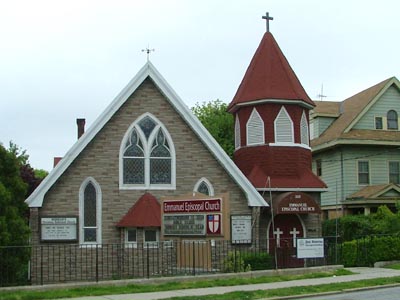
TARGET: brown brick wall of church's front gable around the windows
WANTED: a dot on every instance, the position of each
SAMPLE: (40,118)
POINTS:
(100,160)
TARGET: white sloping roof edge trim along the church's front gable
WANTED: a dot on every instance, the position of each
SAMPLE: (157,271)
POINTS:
(148,70)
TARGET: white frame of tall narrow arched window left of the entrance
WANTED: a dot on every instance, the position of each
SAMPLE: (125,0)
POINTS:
(98,211)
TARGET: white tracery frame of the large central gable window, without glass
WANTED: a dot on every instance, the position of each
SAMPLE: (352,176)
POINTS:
(147,144)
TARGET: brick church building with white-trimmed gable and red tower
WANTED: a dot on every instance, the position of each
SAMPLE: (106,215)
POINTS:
(147,171)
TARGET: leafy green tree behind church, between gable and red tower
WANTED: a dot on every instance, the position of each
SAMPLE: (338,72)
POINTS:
(214,116)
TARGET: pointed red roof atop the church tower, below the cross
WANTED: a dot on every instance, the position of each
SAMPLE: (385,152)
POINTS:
(269,77)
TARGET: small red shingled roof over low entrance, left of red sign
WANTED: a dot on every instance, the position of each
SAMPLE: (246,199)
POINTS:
(146,212)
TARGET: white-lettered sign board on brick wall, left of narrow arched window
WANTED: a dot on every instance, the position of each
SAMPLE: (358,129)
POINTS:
(59,229)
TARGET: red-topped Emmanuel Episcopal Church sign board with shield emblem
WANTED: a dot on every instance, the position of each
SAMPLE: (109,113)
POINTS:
(192,217)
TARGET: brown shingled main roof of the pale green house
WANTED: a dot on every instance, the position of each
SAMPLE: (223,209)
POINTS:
(350,111)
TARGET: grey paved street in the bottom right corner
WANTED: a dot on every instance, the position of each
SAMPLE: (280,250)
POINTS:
(392,293)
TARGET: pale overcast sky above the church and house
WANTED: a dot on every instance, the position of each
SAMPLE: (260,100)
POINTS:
(63,60)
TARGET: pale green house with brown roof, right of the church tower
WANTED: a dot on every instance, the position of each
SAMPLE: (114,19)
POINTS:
(356,150)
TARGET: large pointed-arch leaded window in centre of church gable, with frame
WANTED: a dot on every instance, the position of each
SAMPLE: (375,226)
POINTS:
(147,158)
